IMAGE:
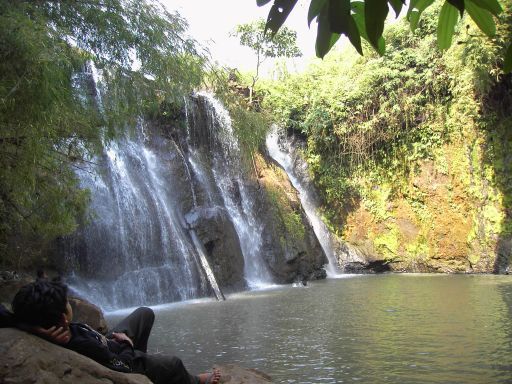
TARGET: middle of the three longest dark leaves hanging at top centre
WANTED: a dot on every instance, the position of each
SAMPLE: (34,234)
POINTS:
(341,21)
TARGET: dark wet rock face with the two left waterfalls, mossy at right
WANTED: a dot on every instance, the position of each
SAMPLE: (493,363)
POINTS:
(168,186)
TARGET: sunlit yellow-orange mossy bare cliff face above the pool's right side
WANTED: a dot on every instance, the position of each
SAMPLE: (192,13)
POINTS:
(448,217)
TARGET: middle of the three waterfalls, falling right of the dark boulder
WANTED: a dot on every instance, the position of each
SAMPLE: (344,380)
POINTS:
(228,180)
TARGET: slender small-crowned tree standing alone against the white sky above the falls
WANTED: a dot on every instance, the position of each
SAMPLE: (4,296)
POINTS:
(282,44)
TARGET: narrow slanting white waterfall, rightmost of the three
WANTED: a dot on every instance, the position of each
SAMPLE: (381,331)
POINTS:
(280,152)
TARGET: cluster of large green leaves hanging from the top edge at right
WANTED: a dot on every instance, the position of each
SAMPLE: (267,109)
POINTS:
(365,19)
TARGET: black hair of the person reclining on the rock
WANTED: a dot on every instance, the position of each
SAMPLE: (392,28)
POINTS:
(40,303)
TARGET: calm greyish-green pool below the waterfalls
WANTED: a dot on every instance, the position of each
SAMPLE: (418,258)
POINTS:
(367,329)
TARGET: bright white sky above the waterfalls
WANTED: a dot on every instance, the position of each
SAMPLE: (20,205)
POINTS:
(210,23)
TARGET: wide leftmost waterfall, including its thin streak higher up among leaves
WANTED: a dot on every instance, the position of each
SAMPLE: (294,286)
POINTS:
(137,249)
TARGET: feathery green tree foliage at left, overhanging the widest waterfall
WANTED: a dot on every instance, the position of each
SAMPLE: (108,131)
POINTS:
(48,121)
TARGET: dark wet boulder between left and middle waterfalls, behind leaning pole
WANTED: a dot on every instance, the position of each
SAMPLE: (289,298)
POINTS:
(220,240)
